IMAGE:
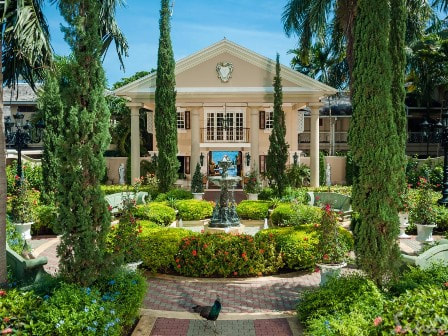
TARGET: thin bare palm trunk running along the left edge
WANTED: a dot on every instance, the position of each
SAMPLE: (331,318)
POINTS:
(3,271)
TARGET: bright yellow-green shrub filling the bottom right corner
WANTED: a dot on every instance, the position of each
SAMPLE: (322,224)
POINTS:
(421,311)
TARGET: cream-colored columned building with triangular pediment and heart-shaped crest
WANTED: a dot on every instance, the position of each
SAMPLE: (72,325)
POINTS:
(225,104)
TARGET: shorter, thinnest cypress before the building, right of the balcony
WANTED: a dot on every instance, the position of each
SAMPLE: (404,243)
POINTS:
(278,148)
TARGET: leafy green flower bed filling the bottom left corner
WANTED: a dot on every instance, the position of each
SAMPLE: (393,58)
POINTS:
(108,308)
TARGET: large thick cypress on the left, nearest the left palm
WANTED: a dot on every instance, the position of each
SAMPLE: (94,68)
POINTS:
(84,219)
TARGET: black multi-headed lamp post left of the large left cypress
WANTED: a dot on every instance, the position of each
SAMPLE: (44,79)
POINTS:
(21,137)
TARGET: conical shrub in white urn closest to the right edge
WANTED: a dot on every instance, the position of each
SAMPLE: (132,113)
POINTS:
(423,214)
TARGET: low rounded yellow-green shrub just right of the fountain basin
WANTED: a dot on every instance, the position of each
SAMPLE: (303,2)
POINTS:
(289,214)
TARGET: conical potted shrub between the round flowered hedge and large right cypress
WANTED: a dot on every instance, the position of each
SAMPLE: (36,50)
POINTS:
(331,252)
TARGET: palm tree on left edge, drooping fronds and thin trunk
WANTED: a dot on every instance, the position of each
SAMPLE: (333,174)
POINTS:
(25,49)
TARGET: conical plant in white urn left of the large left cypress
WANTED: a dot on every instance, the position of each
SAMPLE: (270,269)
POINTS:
(21,209)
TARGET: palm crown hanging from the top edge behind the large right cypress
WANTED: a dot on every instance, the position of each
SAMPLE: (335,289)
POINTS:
(314,20)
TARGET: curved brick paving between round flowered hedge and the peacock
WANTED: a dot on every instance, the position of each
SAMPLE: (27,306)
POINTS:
(272,294)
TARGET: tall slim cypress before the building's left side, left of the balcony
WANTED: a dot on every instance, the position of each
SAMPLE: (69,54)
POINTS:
(165,118)
